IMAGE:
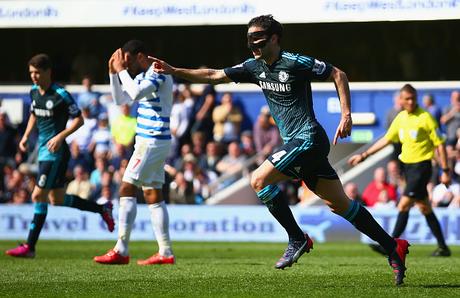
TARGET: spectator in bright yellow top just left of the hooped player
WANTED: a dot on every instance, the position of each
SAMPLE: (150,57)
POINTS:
(124,128)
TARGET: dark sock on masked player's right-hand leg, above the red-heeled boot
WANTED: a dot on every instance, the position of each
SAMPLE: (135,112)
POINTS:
(366,224)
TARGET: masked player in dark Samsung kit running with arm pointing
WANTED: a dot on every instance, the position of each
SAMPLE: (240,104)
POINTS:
(285,80)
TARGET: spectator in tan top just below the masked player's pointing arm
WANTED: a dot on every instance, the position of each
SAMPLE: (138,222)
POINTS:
(227,120)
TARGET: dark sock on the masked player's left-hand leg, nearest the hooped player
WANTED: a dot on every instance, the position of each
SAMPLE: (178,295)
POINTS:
(273,198)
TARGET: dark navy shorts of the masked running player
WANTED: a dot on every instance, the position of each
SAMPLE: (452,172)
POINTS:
(305,160)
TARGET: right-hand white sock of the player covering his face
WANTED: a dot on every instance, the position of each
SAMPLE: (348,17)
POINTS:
(160,223)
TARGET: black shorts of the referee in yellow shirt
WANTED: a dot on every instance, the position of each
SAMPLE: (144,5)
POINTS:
(417,176)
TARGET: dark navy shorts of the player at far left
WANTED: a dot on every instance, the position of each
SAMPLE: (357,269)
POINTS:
(51,173)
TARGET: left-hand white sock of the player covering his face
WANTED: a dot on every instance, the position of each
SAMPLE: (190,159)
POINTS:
(126,216)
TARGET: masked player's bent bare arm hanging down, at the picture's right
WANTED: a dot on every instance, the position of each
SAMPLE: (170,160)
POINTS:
(343,90)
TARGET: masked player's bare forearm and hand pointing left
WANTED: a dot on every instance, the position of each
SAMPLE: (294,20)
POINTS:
(209,76)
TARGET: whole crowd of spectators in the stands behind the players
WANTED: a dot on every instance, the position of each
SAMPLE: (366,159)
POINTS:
(210,151)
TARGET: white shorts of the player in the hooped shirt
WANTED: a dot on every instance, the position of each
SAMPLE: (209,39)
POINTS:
(146,166)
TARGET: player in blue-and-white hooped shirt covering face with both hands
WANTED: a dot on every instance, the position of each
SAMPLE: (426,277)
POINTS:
(139,82)
